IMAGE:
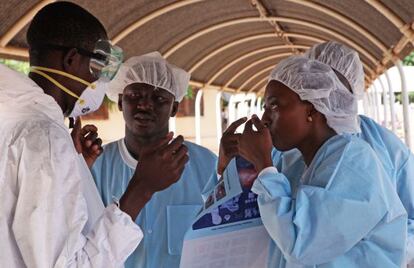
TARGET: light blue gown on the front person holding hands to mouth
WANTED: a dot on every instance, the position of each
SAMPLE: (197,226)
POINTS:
(341,211)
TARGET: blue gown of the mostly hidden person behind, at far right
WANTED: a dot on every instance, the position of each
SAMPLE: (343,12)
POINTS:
(396,158)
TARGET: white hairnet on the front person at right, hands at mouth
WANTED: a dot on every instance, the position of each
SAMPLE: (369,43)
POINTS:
(318,84)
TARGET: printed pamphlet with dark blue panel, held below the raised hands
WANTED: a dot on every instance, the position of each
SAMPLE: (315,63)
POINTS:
(228,232)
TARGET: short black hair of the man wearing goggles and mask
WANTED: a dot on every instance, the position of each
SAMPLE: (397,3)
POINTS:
(63,24)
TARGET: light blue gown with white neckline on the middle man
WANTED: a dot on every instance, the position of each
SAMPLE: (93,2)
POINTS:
(167,216)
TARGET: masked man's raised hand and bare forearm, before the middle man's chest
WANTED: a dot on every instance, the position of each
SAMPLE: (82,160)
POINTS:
(160,164)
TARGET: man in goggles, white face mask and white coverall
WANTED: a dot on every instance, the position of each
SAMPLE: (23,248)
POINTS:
(51,214)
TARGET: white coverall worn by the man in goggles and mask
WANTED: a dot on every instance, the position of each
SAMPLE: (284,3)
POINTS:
(50,212)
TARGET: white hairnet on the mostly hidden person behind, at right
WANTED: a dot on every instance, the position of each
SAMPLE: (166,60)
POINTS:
(343,60)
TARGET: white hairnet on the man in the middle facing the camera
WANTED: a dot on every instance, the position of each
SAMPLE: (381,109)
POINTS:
(151,69)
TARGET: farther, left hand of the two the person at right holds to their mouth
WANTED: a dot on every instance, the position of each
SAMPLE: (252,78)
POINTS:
(229,145)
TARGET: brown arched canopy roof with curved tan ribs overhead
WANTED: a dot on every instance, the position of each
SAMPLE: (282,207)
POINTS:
(228,45)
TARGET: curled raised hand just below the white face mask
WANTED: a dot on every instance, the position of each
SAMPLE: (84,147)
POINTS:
(86,142)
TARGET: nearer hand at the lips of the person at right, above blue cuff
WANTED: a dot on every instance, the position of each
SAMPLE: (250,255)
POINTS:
(256,146)
